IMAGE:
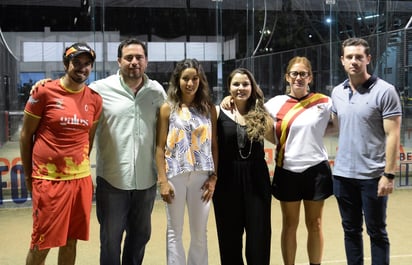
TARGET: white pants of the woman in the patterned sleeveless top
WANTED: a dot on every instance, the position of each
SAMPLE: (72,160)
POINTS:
(187,187)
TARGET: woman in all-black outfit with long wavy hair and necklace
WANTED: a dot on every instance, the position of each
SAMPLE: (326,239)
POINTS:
(242,198)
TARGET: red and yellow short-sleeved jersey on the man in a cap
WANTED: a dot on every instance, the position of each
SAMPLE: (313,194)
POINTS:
(61,143)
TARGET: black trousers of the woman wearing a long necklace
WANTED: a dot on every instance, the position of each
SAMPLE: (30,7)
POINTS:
(242,212)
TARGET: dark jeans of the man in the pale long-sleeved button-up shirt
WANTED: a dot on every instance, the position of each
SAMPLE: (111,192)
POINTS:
(120,211)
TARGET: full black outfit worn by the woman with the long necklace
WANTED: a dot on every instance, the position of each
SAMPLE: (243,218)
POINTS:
(242,198)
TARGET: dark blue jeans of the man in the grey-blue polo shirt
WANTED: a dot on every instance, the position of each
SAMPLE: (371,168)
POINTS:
(358,198)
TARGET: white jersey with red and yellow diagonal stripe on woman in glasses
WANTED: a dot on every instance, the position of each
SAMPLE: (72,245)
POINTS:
(299,129)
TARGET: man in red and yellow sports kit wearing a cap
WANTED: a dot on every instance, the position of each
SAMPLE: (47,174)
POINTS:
(60,119)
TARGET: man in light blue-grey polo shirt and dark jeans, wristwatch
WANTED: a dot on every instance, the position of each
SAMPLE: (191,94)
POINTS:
(368,111)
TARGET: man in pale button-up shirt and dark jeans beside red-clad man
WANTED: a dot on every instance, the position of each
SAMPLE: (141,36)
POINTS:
(126,172)
